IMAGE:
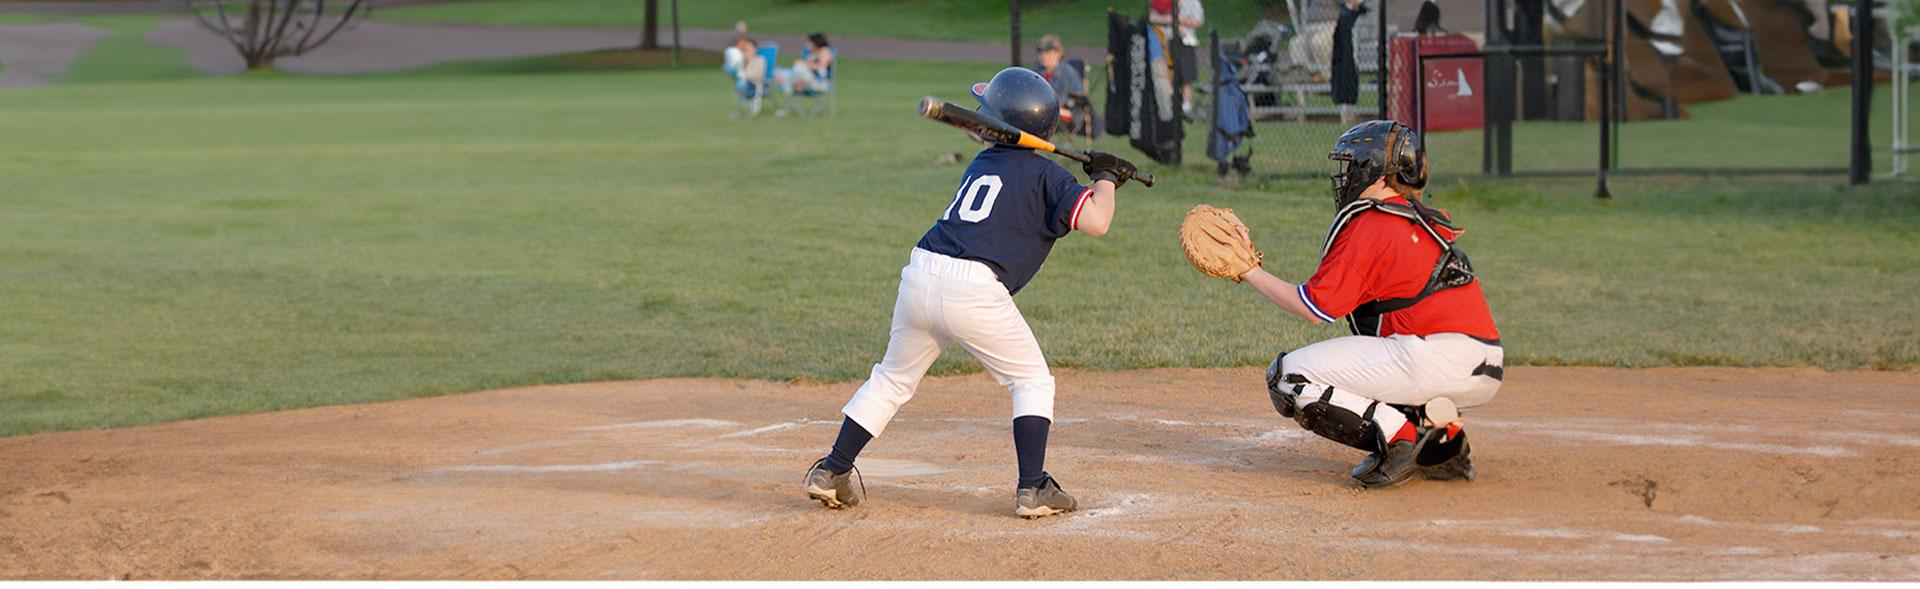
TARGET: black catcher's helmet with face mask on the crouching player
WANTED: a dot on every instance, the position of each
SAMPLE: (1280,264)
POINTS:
(1378,151)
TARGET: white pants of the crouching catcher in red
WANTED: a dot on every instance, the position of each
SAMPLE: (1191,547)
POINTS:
(1397,369)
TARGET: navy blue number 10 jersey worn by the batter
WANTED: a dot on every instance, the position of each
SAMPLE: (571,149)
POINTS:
(1007,214)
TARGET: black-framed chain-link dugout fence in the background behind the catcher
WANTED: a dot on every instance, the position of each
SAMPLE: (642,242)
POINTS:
(1524,87)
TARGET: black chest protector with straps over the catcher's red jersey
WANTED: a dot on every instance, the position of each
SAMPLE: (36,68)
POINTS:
(1451,271)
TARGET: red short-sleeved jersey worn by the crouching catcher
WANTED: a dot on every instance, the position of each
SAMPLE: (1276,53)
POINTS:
(1385,258)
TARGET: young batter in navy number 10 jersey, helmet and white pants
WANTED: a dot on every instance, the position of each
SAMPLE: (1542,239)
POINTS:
(959,289)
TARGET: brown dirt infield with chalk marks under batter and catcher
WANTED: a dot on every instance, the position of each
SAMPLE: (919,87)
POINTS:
(1585,475)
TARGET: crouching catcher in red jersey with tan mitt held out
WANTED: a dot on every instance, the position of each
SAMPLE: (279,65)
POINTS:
(1424,339)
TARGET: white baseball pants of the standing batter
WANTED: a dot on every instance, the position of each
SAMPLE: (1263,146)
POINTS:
(946,300)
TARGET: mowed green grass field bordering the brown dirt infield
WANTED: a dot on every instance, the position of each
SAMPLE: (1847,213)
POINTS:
(193,248)
